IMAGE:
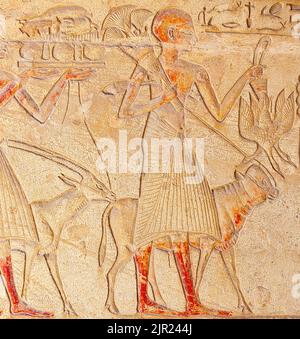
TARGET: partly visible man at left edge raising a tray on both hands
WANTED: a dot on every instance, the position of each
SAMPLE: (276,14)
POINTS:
(16,220)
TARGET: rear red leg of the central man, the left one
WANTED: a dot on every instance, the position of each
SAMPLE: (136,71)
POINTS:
(145,304)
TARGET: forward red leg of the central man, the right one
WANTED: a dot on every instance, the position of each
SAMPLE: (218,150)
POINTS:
(183,262)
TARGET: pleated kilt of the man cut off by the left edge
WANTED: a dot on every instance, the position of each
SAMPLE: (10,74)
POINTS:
(16,218)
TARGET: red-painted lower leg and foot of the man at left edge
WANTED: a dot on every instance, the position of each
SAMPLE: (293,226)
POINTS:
(17,306)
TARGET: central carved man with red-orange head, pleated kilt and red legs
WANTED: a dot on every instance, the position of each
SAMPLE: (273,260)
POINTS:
(169,209)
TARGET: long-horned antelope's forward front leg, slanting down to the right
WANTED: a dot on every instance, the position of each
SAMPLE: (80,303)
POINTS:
(51,260)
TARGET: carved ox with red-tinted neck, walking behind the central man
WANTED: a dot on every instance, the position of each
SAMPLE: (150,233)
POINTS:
(234,202)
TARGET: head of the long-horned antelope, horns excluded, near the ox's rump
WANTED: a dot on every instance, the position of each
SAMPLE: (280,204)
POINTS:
(90,186)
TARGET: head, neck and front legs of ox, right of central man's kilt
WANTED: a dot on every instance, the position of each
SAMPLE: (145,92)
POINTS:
(235,201)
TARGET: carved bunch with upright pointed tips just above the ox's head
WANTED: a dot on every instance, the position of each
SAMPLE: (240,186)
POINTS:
(258,124)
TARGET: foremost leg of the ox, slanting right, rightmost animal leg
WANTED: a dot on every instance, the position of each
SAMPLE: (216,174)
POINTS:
(228,258)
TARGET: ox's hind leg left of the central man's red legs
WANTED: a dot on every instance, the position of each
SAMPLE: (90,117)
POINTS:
(123,257)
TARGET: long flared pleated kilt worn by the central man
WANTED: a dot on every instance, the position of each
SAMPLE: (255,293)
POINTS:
(168,203)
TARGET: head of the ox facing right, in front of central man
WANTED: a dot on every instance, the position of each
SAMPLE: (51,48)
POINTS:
(261,179)
